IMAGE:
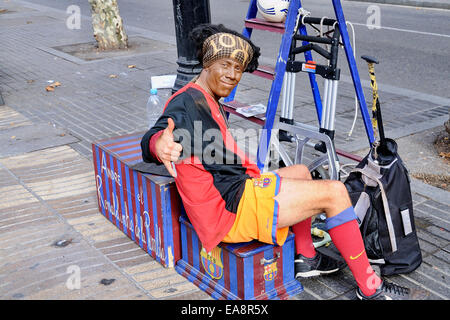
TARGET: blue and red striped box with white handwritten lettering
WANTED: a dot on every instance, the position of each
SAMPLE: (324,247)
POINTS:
(145,207)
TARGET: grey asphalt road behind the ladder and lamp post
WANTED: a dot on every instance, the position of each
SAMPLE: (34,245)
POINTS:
(412,44)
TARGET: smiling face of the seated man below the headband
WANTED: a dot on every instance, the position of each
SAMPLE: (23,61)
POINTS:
(222,76)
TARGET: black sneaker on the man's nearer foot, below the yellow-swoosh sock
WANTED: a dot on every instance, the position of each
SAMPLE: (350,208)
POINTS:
(391,291)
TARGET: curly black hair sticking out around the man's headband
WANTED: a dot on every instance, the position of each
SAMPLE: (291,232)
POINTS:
(203,31)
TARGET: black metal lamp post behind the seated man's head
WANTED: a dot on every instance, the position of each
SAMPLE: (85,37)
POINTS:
(188,14)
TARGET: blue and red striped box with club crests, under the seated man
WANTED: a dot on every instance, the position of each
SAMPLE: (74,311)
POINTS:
(244,271)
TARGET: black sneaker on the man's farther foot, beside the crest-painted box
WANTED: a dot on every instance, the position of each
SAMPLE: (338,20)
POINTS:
(315,266)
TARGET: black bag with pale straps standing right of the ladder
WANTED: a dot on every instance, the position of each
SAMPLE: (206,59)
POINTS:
(379,188)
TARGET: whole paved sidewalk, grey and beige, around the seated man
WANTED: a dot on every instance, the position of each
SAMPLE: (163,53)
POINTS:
(50,227)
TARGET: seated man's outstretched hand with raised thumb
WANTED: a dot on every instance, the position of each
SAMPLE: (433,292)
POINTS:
(167,149)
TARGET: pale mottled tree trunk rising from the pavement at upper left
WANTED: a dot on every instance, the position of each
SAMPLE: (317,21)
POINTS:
(108,25)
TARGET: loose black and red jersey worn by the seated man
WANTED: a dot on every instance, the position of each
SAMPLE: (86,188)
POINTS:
(212,174)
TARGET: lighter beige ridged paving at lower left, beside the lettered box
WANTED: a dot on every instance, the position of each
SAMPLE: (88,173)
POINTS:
(48,200)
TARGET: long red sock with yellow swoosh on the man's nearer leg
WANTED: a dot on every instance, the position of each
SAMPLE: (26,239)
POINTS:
(347,239)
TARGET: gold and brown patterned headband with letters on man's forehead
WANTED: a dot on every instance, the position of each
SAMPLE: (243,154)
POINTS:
(226,45)
